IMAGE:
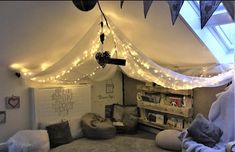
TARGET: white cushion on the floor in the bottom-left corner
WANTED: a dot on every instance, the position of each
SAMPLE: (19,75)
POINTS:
(29,141)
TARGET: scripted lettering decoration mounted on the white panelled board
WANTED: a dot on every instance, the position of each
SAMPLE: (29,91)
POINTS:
(63,101)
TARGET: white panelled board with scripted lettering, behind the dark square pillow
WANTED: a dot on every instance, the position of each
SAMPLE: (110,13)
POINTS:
(59,103)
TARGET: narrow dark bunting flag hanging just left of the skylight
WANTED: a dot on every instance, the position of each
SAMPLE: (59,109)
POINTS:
(175,7)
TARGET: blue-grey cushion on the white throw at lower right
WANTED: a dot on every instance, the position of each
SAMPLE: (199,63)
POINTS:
(205,132)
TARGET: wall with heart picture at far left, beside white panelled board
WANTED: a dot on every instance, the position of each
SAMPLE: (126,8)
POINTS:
(16,119)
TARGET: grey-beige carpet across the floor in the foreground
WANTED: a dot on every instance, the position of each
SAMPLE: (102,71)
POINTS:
(116,144)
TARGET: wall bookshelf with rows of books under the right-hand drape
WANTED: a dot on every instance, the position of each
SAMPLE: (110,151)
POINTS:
(164,108)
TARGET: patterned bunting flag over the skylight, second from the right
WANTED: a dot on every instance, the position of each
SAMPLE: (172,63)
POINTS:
(207,8)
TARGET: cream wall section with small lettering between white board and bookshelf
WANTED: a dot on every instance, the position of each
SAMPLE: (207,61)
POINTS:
(100,98)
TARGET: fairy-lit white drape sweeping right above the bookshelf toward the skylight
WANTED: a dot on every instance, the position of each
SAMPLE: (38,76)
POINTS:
(150,71)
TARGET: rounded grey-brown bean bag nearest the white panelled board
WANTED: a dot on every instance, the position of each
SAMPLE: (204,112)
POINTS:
(96,127)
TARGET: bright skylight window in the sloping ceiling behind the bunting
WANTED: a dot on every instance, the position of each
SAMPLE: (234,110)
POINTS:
(219,33)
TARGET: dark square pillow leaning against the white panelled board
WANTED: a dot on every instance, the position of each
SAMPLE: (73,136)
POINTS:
(59,134)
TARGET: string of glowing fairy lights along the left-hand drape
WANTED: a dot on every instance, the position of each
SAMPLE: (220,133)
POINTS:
(70,75)
